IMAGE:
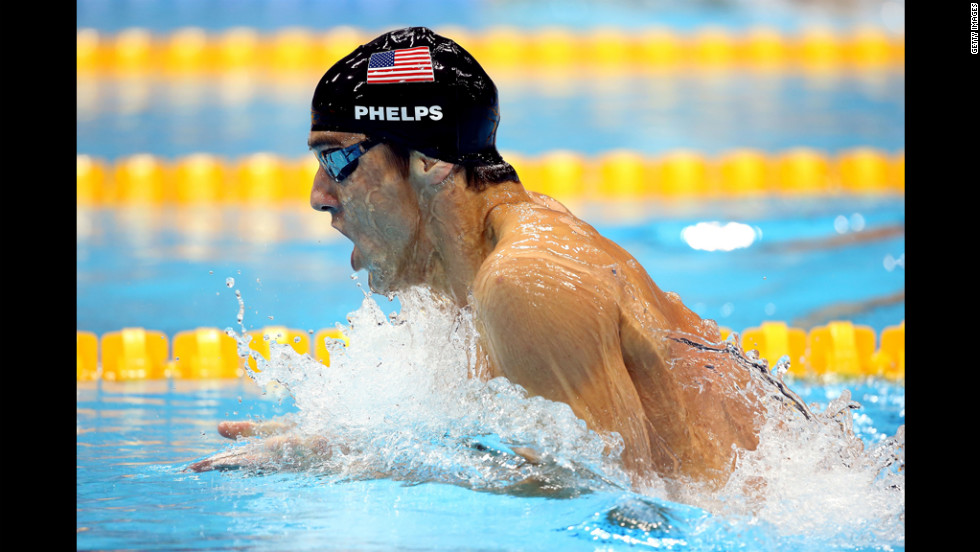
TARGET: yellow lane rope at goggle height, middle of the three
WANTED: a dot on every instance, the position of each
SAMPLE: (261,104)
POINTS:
(204,178)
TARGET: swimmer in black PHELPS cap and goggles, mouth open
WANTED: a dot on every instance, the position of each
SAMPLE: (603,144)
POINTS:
(404,128)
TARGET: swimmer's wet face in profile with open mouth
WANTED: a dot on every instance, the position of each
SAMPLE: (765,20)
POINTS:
(374,206)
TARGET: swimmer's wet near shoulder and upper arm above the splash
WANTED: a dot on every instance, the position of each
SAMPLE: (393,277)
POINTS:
(555,332)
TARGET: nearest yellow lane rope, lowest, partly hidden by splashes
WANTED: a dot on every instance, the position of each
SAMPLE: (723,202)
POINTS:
(840,348)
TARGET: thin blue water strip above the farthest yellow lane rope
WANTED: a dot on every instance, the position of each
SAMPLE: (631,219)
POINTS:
(114,15)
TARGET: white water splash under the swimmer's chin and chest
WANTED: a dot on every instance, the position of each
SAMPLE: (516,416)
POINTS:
(399,401)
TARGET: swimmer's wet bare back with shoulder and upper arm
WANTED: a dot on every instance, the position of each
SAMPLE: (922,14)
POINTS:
(549,268)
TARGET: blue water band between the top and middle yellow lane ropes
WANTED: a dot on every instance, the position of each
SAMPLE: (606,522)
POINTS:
(649,114)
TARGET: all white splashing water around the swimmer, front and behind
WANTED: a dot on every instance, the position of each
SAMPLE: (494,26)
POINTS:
(400,402)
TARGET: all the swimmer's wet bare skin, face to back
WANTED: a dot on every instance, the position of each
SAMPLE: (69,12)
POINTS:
(561,310)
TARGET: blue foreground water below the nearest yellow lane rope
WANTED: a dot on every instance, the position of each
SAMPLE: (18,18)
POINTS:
(135,439)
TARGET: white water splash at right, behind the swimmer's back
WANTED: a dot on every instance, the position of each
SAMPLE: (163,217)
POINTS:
(811,475)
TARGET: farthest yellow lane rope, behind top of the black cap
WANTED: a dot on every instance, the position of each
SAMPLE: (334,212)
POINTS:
(192,50)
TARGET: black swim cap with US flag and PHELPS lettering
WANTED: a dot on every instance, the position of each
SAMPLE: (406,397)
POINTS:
(416,88)
